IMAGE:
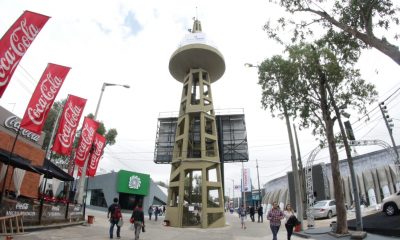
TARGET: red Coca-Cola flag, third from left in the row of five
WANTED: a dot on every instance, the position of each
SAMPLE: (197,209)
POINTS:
(68,124)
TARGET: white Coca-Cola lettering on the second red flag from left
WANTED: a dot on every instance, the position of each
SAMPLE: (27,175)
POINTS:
(48,91)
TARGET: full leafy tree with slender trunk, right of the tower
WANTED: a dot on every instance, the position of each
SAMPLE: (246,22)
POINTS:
(300,84)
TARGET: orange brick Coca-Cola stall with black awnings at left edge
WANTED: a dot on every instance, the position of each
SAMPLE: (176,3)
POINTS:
(22,172)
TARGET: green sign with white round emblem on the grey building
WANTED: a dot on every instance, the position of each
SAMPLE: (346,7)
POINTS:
(133,183)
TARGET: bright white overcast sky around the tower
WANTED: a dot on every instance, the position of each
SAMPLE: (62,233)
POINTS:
(130,42)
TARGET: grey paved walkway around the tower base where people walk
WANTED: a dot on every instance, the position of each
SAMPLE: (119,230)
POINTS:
(155,230)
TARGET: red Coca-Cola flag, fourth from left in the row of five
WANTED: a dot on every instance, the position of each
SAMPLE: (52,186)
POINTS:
(89,129)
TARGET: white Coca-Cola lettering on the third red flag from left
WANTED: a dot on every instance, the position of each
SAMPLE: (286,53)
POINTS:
(71,120)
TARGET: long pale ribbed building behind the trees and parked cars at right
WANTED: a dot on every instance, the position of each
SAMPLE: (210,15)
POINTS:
(376,176)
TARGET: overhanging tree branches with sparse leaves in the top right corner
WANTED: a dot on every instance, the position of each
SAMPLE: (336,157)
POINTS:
(358,19)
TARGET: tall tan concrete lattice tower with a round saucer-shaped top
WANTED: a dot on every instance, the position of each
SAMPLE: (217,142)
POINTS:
(195,197)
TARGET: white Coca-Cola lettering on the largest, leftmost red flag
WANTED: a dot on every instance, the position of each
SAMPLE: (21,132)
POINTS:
(20,40)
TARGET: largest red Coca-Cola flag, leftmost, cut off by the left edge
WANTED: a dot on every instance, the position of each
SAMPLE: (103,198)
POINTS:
(16,42)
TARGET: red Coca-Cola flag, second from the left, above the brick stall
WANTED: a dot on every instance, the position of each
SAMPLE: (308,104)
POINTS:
(43,97)
